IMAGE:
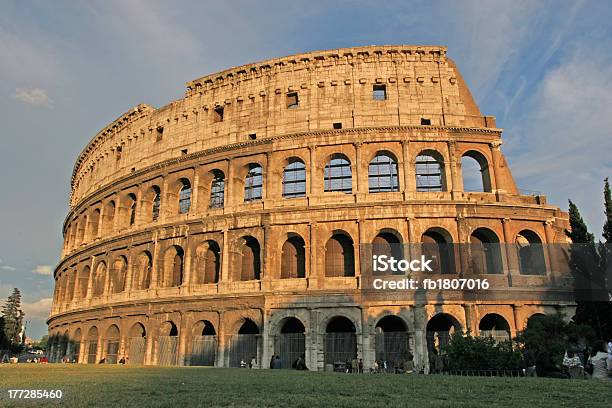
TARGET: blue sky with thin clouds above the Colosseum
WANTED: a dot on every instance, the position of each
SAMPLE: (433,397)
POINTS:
(69,68)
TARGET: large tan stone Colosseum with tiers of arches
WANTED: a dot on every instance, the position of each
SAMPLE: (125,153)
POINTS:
(240,221)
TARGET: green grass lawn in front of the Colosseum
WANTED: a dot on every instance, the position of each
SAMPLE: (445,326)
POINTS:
(124,386)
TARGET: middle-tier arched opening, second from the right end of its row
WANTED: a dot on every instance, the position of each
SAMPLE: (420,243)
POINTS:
(485,253)
